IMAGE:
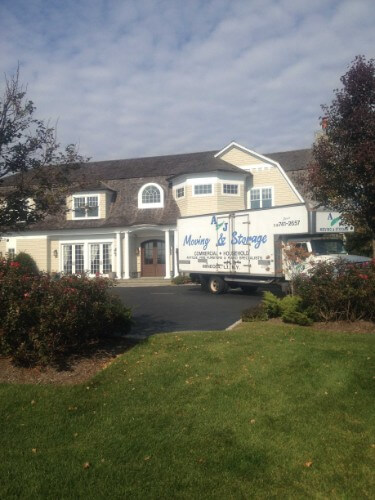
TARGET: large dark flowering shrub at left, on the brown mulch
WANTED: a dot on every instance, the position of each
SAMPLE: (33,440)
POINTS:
(44,320)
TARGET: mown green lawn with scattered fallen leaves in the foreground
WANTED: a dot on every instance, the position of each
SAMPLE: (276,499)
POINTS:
(236,414)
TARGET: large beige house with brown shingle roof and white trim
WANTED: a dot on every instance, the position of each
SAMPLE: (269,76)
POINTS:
(122,221)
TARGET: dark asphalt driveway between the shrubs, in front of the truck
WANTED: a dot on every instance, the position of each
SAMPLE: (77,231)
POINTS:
(185,307)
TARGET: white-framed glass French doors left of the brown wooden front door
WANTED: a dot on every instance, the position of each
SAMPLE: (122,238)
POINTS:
(98,260)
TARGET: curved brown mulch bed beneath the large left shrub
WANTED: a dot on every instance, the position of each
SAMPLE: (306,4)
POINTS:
(76,370)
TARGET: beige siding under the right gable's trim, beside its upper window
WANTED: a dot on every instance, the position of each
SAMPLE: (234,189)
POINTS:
(283,193)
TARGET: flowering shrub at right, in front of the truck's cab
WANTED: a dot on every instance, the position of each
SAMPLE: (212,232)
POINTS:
(338,291)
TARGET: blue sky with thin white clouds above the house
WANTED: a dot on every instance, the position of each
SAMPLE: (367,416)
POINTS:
(141,78)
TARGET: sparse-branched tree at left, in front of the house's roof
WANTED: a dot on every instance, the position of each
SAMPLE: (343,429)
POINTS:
(34,170)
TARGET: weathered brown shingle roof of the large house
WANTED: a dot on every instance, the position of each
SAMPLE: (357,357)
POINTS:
(124,178)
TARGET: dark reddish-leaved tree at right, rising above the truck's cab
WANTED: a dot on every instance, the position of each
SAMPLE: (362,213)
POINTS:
(342,174)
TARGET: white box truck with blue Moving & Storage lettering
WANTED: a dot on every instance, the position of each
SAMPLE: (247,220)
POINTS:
(245,248)
